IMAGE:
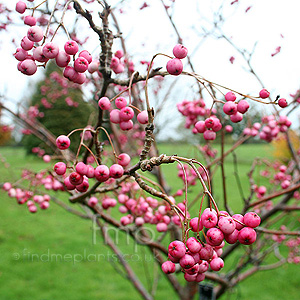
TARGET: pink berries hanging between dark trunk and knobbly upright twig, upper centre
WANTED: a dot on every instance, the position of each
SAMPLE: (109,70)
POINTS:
(123,114)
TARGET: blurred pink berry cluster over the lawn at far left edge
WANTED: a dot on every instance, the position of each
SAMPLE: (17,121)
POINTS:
(25,196)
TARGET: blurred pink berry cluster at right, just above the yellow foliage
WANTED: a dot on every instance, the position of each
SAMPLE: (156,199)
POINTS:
(270,129)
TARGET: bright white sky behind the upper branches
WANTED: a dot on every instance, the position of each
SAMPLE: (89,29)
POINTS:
(264,23)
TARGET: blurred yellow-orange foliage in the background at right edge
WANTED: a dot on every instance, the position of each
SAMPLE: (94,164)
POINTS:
(281,148)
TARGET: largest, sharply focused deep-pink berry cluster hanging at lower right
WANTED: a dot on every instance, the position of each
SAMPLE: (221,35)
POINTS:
(195,257)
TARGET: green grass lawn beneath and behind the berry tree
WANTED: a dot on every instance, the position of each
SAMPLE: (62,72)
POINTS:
(52,254)
